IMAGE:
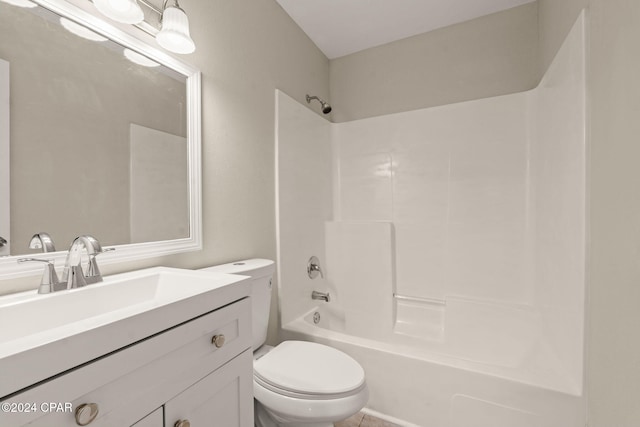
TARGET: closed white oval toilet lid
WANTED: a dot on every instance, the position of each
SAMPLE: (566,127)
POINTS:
(309,368)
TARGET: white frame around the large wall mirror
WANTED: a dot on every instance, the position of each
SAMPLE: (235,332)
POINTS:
(10,268)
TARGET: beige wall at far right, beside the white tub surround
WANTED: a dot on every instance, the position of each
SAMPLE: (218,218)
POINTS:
(613,343)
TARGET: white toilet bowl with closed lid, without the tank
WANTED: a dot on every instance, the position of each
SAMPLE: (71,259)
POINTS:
(301,383)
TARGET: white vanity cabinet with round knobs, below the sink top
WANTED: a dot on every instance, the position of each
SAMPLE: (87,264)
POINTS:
(200,371)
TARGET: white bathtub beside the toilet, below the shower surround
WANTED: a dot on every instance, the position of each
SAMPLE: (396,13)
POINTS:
(459,376)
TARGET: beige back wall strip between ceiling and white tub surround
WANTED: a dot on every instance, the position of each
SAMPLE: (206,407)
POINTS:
(488,56)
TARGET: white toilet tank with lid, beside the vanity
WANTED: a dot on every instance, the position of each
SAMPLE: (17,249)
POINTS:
(261,272)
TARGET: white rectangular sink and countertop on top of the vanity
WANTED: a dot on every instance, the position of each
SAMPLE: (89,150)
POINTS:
(44,335)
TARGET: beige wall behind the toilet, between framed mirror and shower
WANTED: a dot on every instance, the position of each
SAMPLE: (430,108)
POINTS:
(245,50)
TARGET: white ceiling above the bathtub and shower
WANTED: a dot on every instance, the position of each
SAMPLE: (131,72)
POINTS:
(341,27)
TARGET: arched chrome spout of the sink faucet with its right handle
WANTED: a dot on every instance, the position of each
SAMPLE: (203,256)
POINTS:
(73,275)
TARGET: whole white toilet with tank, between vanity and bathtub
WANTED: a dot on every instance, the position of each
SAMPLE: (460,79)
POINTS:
(296,383)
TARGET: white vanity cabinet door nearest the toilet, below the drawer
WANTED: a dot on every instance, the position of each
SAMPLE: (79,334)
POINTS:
(224,398)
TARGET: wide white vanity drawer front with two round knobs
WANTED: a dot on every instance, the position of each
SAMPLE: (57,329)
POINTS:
(136,380)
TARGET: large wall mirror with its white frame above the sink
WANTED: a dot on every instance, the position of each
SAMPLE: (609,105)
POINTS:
(104,138)
